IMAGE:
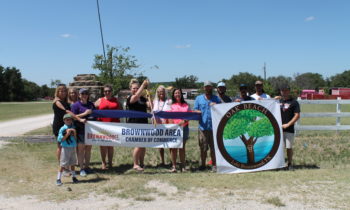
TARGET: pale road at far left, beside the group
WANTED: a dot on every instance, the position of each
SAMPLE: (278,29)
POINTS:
(21,126)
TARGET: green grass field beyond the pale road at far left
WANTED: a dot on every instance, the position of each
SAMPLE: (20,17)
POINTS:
(15,110)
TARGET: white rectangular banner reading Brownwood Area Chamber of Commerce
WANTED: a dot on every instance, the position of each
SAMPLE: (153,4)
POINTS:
(133,135)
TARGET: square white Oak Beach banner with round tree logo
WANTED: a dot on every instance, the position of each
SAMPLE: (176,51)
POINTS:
(248,136)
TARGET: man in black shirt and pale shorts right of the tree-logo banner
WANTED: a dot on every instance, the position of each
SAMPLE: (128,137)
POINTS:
(290,113)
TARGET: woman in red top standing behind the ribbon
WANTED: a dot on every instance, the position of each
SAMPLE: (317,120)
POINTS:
(108,102)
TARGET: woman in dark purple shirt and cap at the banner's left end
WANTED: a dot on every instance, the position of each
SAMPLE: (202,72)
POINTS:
(83,108)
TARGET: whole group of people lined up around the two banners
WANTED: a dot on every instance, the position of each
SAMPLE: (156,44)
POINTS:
(72,108)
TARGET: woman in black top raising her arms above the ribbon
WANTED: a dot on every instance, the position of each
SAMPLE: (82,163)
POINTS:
(137,102)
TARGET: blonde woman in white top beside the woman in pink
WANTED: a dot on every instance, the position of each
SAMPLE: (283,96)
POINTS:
(161,103)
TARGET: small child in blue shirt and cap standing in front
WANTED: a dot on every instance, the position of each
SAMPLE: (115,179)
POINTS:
(67,136)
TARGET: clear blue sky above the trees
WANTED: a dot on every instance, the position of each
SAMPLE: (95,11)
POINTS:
(213,40)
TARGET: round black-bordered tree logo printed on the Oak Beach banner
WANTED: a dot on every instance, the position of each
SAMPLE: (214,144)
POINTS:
(248,136)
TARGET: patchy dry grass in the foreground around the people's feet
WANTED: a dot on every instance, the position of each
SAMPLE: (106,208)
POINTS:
(321,177)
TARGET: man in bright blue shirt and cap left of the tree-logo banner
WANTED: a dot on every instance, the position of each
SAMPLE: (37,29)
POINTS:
(203,104)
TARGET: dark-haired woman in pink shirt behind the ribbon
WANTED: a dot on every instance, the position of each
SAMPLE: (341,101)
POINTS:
(179,105)
